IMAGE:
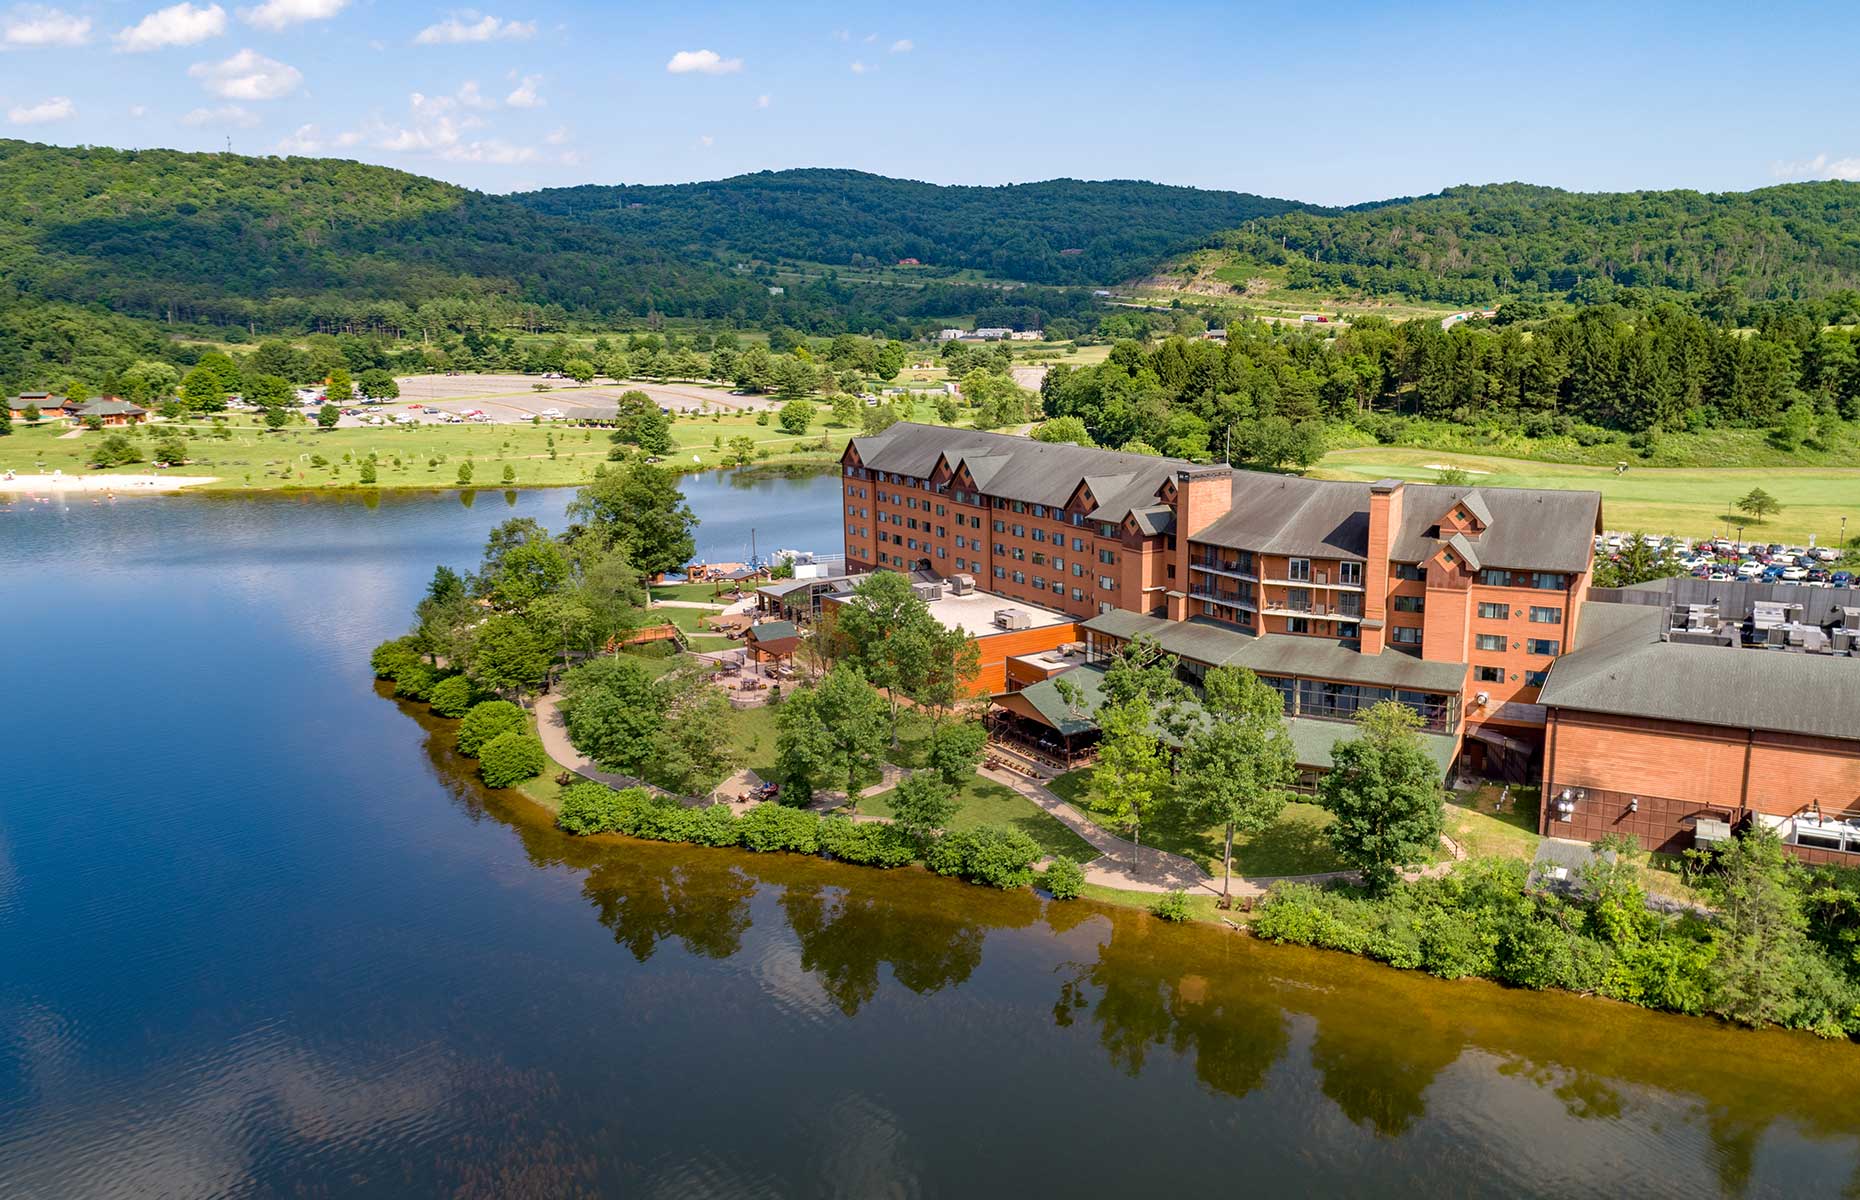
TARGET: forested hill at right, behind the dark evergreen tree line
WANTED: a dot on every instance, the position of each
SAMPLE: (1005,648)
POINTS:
(1483,243)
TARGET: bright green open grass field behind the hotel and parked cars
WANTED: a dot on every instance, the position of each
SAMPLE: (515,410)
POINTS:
(1684,501)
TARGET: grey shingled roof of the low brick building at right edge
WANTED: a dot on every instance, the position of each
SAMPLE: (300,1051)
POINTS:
(1627,669)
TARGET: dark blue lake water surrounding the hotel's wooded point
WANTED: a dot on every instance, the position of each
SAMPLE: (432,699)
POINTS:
(263,935)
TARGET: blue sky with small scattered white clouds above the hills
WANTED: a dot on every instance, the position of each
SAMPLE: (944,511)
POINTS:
(1329,103)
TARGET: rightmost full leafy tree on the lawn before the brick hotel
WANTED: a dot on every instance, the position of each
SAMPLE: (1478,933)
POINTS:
(1385,793)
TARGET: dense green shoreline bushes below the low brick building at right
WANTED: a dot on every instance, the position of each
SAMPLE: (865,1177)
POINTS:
(1774,944)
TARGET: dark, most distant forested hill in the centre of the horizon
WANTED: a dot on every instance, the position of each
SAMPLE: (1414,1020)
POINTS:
(1057,232)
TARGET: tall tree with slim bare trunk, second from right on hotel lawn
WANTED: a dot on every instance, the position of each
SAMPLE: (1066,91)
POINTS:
(1240,764)
